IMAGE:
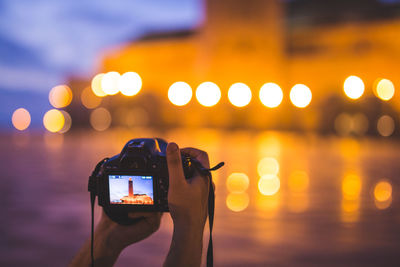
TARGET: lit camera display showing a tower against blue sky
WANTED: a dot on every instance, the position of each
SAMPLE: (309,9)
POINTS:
(131,190)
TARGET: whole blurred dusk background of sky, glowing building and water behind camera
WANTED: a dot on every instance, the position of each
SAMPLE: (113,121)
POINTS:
(298,97)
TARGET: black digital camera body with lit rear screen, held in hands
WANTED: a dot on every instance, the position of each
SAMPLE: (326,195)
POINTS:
(136,179)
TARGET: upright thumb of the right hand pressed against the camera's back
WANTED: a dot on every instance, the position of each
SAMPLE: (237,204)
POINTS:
(174,161)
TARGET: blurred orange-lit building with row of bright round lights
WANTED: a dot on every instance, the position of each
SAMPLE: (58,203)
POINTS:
(315,43)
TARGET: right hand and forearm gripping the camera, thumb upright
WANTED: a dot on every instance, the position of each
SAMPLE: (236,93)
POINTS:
(188,206)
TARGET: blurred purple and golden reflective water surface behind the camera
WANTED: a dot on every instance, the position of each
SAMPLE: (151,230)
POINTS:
(281,199)
